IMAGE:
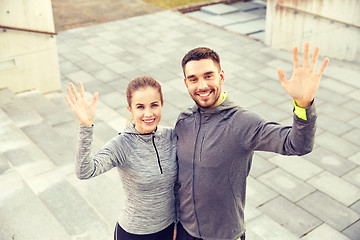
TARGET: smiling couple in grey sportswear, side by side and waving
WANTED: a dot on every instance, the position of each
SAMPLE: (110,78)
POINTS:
(204,161)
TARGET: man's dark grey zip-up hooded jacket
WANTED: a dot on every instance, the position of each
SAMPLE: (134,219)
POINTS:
(215,149)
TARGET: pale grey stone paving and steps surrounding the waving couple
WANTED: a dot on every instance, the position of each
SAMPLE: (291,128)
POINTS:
(314,197)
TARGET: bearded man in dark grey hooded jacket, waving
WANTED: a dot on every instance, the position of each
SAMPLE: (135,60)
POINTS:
(217,139)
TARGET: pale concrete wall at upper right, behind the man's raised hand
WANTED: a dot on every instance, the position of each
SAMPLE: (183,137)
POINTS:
(334,25)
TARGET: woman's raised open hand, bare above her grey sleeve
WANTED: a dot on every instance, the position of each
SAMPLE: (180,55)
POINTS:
(78,103)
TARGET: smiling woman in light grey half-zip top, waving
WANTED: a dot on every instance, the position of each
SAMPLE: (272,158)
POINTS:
(144,155)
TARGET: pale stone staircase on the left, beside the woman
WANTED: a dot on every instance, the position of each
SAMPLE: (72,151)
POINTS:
(40,196)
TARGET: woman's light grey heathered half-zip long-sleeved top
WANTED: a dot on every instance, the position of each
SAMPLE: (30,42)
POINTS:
(148,169)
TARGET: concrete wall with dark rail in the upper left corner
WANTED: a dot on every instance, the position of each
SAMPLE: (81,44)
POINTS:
(28,60)
